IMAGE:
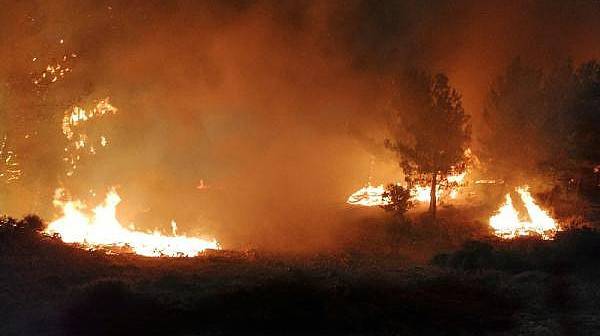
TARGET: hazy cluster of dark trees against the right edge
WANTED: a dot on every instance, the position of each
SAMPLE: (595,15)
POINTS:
(543,121)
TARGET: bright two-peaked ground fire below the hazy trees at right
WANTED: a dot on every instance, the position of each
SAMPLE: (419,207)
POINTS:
(507,224)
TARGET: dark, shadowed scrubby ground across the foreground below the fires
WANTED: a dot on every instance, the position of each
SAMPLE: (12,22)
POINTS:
(526,287)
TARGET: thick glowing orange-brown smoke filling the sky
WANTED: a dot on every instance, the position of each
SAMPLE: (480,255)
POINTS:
(250,120)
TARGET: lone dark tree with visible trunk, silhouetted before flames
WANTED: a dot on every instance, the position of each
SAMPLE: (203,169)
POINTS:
(430,128)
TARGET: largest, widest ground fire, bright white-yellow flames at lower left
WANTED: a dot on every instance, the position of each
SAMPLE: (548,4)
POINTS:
(102,229)
